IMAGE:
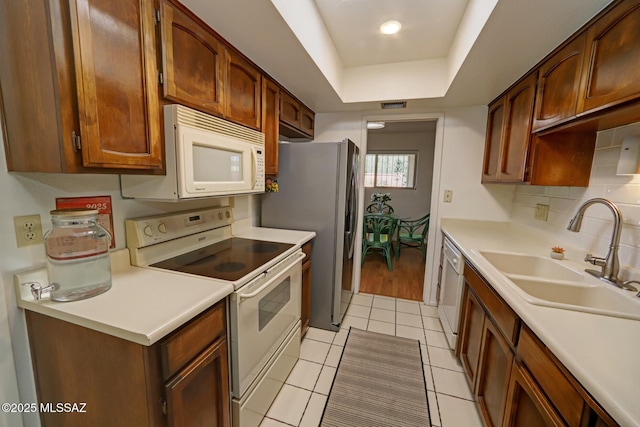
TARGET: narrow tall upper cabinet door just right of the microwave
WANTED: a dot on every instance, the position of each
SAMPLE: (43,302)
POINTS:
(270,125)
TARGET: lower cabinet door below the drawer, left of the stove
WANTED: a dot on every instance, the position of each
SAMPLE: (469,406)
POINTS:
(199,394)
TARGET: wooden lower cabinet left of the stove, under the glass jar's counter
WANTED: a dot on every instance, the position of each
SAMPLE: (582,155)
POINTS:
(181,380)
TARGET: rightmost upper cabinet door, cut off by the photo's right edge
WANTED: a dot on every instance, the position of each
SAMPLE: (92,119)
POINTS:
(613,63)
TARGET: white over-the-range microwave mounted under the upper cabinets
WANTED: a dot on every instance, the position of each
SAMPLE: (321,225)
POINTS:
(205,157)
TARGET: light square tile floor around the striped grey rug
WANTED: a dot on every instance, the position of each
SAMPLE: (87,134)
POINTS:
(302,399)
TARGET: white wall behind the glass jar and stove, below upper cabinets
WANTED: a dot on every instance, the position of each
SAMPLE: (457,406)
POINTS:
(25,194)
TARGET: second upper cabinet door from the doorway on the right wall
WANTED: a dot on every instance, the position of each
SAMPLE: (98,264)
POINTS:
(516,138)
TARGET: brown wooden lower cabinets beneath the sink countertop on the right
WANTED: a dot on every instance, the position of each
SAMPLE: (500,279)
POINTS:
(516,381)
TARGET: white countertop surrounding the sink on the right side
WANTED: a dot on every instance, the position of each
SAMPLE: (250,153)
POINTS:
(601,352)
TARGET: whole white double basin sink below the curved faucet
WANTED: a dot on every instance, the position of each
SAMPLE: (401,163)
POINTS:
(547,282)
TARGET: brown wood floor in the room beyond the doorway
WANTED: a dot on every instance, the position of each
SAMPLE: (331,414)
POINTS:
(405,281)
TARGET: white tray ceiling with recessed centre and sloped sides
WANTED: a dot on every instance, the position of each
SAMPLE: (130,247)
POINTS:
(449,53)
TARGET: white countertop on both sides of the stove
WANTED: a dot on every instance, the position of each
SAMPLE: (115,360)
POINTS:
(143,304)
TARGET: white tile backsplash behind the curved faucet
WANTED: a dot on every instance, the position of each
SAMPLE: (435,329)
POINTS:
(597,226)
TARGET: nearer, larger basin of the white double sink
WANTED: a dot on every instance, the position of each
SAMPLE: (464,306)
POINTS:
(597,298)
